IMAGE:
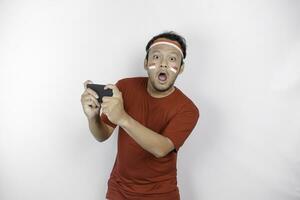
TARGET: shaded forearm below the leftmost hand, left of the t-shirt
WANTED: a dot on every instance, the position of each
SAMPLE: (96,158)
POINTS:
(98,129)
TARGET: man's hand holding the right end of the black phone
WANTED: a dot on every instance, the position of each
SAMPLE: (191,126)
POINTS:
(113,107)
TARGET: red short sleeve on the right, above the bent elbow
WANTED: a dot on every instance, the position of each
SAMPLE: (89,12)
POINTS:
(181,126)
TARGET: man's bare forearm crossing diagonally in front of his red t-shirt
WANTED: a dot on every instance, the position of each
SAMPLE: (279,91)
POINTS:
(149,140)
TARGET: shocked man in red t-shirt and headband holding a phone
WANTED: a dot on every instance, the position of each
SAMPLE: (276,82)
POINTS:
(154,119)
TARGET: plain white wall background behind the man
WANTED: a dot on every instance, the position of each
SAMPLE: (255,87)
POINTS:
(242,71)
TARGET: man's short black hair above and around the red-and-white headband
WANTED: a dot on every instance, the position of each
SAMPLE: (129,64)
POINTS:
(171,35)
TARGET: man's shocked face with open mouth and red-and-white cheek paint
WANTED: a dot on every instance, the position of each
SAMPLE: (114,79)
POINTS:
(163,66)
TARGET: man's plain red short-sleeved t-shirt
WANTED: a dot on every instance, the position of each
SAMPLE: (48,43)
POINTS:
(137,174)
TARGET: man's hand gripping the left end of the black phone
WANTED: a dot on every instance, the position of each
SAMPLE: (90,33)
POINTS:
(90,104)
